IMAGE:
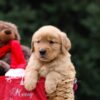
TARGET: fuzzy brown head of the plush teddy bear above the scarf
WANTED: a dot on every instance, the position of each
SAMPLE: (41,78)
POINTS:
(8,31)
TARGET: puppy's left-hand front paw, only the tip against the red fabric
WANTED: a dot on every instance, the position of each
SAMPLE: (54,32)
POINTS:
(30,85)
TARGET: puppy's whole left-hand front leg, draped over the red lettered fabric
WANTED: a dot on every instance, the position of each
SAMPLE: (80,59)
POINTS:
(31,74)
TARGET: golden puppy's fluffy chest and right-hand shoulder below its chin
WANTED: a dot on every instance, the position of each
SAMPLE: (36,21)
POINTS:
(61,66)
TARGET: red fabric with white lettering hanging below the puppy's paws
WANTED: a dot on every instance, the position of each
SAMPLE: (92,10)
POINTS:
(12,89)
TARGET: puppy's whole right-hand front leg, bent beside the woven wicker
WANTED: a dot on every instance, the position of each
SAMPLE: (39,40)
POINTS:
(52,79)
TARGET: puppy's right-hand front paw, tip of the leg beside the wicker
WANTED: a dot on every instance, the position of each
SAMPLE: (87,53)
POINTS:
(50,87)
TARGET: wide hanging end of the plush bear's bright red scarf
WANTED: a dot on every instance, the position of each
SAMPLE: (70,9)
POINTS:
(17,56)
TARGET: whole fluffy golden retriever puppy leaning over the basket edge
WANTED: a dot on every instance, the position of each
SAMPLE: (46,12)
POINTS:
(50,58)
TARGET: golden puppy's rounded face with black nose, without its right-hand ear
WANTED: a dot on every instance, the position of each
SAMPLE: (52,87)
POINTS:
(47,43)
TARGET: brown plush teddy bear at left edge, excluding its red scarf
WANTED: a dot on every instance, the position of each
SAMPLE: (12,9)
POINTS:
(9,31)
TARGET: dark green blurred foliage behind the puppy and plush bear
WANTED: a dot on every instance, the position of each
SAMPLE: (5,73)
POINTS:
(80,19)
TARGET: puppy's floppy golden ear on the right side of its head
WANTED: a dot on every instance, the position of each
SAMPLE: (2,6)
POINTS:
(66,44)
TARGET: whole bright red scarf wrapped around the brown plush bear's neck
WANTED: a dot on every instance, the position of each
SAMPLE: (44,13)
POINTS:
(17,57)
